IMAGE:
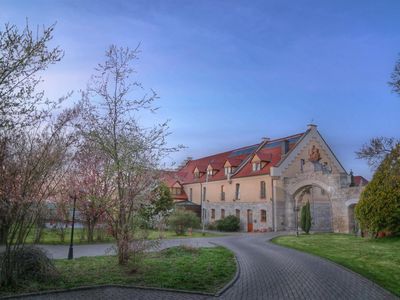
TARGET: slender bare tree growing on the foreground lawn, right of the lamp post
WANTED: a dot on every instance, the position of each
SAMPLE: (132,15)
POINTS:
(135,152)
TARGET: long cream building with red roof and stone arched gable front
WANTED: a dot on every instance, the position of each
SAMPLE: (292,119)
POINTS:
(266,184)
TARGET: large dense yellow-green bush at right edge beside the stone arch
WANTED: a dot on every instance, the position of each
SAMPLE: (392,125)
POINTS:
(379,205)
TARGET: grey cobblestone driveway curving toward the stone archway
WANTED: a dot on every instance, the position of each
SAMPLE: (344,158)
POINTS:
(267,271)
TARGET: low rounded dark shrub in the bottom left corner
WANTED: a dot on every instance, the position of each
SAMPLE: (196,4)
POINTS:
(29,263)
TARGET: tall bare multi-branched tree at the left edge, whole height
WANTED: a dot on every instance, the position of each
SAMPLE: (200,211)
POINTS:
(34,142)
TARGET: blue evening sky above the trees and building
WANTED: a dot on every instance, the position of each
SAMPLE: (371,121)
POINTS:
(231,72)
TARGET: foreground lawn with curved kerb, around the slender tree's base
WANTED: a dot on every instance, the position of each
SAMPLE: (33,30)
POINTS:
(204,269)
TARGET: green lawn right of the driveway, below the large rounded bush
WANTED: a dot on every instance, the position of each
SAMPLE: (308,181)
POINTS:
(376,259)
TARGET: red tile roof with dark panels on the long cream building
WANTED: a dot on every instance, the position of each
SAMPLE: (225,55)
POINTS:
(241,158)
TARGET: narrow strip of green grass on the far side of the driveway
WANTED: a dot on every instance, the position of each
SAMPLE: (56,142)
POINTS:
(50,237)
